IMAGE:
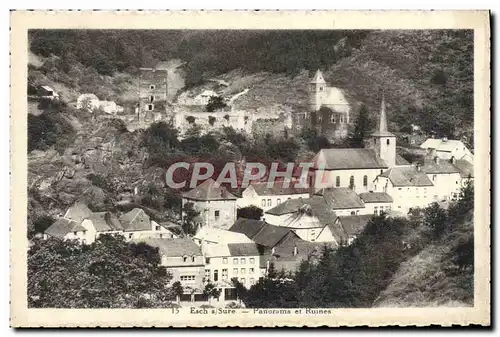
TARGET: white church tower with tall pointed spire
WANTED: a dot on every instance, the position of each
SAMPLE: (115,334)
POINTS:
(384,142)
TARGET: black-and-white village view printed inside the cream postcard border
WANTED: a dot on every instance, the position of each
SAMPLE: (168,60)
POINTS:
(263,171)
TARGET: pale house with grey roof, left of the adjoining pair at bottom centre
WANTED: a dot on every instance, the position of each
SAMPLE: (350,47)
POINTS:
(183,259)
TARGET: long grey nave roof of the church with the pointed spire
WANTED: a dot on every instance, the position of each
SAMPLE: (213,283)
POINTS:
(343,159)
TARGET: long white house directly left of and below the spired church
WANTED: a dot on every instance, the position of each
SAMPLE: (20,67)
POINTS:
(258,194)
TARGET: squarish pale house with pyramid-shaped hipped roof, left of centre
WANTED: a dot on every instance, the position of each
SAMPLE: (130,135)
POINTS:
(217,206)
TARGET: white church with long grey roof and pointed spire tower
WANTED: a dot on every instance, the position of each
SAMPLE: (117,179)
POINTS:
(356,168)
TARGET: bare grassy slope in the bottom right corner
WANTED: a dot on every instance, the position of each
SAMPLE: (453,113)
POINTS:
(430,278)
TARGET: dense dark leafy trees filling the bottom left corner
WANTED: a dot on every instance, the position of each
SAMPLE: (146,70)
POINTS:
(109,273)
